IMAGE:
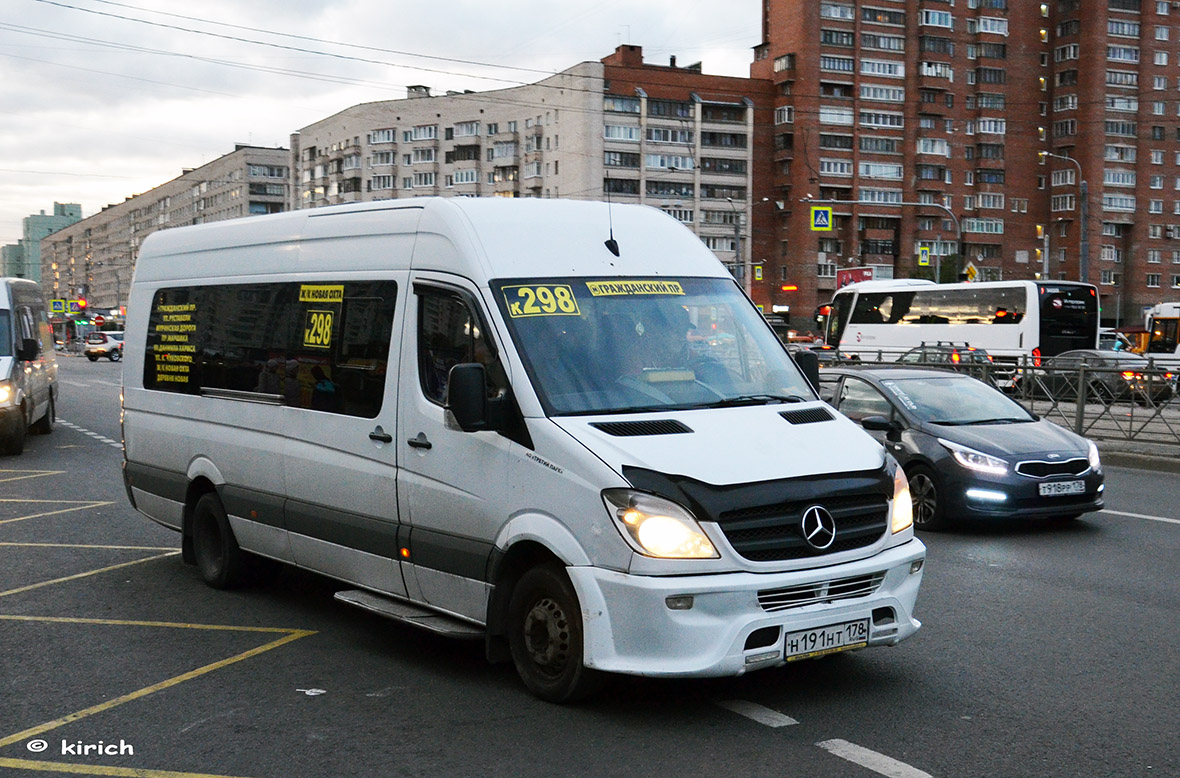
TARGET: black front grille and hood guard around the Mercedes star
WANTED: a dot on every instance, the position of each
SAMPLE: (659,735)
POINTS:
(763,521)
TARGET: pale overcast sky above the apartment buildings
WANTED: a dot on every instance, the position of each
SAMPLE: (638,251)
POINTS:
(101,100)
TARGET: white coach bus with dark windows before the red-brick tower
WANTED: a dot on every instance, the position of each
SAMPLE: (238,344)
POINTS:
(1008,319)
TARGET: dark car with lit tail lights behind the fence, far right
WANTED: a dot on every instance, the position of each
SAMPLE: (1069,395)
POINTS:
(1111,377)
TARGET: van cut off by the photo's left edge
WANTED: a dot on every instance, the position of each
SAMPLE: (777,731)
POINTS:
(29,368)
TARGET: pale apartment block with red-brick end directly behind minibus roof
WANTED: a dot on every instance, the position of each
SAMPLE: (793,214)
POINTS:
(663,135)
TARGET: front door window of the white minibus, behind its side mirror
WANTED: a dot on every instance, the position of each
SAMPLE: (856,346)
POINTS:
(450,334)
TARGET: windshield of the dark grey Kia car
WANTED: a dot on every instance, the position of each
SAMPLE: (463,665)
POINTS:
(954,401)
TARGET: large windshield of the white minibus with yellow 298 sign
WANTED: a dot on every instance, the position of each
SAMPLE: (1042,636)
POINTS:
(634,345)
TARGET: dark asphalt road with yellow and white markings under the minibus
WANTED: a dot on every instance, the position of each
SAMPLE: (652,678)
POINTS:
(1048,650)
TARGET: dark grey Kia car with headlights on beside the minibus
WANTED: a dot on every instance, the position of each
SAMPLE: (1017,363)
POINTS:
(968,450)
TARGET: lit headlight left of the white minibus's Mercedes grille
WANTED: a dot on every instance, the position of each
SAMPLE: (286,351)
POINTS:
(658,527)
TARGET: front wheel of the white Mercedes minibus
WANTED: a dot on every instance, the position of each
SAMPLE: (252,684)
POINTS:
(546,637)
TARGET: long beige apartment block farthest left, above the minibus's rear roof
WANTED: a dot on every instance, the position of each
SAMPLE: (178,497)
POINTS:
(95,258)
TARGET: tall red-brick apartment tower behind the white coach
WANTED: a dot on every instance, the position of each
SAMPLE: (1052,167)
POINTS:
(928,119)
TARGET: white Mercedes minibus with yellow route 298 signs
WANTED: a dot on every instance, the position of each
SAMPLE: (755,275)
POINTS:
(556,427)
